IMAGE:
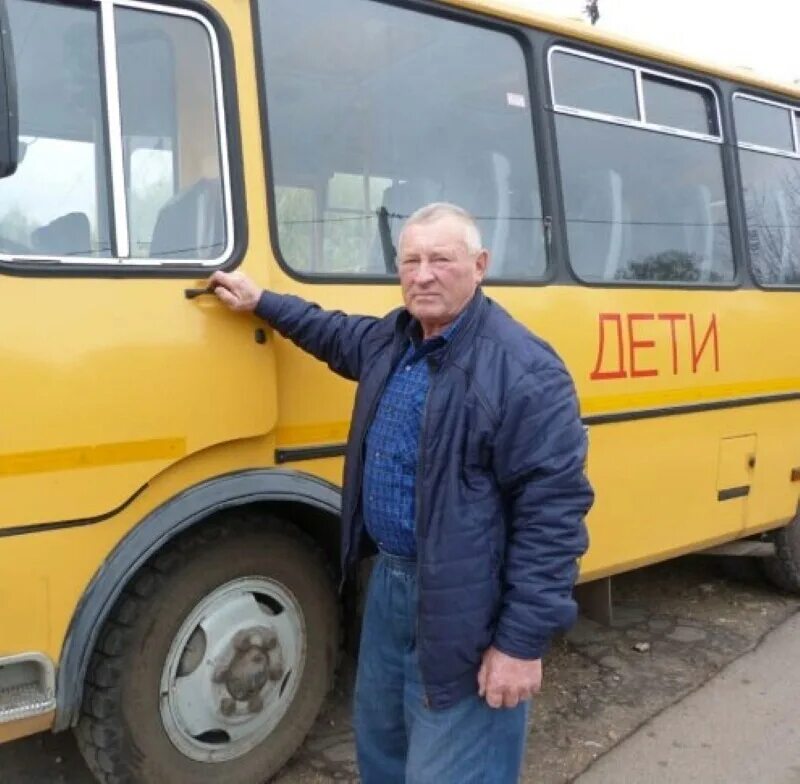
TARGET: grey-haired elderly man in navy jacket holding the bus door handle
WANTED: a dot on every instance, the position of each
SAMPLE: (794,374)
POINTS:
(465,471)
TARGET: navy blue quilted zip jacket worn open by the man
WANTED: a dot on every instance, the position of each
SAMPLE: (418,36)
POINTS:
(501,492)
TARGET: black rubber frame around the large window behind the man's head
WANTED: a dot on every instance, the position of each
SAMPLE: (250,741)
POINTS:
(522,36)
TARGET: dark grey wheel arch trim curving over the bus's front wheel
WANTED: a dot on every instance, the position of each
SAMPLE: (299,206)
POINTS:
(311,503)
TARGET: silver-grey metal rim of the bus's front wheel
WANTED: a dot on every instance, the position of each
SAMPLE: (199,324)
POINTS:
(233,669)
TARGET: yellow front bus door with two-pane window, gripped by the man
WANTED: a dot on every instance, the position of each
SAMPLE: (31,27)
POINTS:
(123,198)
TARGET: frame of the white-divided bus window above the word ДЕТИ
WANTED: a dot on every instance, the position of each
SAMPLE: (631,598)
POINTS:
(712,85)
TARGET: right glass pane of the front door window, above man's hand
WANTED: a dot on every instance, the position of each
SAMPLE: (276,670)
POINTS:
(169,125)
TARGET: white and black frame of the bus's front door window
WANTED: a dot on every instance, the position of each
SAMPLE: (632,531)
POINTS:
(229,143)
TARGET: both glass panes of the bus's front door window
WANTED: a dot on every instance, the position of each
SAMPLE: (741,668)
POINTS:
(58,205)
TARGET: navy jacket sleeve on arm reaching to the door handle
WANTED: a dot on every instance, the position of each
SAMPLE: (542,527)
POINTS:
(330,335)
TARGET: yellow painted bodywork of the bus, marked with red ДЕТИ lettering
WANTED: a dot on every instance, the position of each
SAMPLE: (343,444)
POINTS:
(122,394)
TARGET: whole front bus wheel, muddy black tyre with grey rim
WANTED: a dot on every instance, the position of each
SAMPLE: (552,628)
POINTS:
(215,661)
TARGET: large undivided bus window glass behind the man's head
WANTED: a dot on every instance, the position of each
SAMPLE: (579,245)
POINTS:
(392,107)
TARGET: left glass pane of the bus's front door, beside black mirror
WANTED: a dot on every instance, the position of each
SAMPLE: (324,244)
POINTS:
(55,205)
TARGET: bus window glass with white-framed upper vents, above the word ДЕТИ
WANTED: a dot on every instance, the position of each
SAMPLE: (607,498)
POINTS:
(644,194)
